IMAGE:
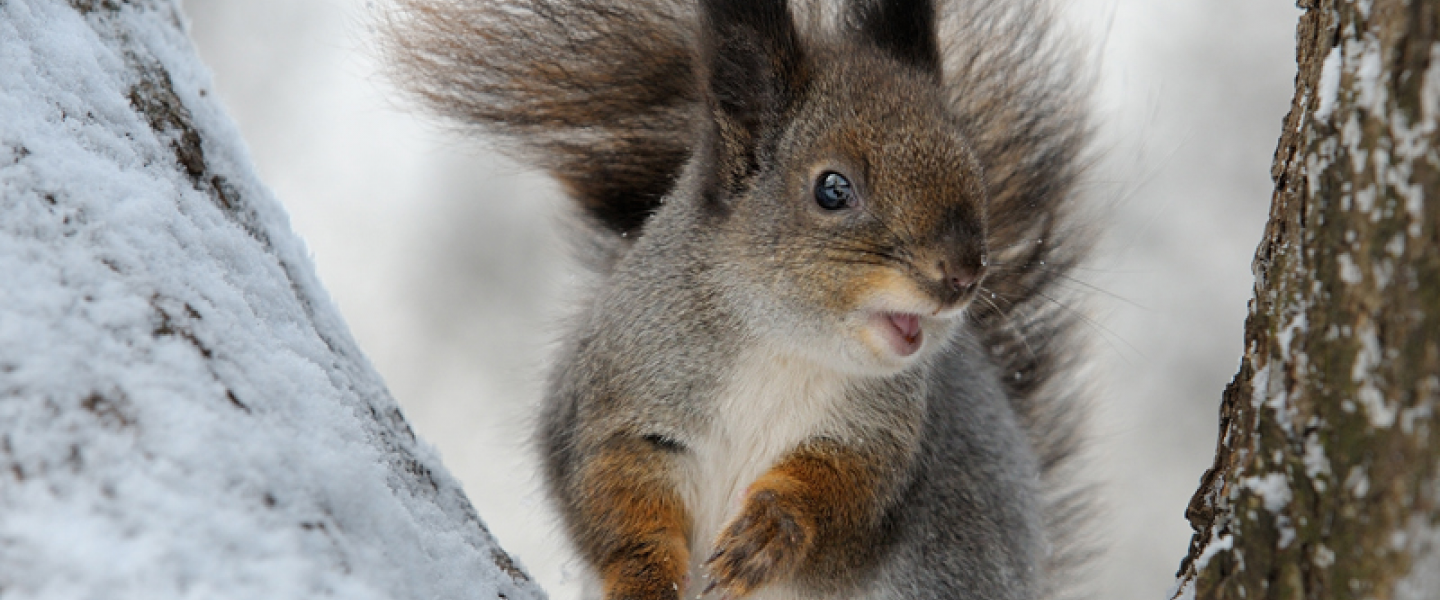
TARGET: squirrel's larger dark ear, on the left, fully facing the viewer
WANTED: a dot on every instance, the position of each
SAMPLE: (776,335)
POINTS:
(755,73)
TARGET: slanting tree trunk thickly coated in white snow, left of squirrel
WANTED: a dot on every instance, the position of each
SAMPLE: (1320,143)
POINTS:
(182,411)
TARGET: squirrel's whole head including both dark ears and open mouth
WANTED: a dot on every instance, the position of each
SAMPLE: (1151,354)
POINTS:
(849,206)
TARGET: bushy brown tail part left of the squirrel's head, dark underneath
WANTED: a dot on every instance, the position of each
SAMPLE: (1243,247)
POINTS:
(600,93)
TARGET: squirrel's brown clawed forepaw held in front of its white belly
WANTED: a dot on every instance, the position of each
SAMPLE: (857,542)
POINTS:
(762,545)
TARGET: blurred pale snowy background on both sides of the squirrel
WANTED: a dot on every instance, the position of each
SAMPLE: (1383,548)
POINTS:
(449,265)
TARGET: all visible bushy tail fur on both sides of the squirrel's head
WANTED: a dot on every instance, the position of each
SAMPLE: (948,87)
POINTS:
(604,94)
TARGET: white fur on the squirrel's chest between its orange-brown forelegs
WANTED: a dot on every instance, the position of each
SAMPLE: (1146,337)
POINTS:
(768,406)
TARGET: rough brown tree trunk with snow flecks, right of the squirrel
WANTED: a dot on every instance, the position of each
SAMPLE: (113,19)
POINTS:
(1326,483)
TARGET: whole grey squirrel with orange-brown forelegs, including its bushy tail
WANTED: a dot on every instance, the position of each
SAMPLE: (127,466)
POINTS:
(823,356)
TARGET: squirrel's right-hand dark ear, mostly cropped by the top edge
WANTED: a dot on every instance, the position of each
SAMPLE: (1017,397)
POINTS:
(908,29)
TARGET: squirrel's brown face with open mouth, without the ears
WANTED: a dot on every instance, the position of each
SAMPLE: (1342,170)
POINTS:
(863,228)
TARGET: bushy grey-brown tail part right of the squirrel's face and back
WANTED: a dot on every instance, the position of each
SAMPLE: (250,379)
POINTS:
(1022,91)
